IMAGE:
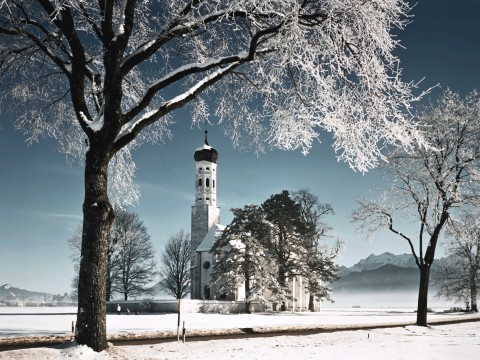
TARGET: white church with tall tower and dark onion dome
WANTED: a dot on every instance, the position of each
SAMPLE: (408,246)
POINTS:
(206,228)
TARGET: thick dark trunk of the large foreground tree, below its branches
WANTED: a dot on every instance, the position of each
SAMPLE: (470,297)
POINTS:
(98,217)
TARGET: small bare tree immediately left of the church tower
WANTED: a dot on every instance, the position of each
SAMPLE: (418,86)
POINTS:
(175,265)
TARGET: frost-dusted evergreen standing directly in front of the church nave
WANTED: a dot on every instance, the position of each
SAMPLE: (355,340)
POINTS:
(241,257)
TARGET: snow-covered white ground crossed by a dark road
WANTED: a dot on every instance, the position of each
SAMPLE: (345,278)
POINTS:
(457,341)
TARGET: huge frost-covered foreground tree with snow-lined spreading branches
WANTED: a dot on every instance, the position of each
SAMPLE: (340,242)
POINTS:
(103,76)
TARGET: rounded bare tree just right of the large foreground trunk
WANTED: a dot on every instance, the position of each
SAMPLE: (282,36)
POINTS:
(134,255)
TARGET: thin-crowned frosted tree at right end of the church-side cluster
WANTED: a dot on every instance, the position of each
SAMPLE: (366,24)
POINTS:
(319,257)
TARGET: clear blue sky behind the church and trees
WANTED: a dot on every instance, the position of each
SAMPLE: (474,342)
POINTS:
(41,196)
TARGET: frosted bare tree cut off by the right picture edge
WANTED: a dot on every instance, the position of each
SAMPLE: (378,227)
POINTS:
(459,276)
